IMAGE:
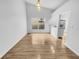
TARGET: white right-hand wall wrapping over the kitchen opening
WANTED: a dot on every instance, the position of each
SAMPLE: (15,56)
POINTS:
(72,40)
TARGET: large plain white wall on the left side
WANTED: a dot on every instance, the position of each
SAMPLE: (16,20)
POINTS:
(12,24)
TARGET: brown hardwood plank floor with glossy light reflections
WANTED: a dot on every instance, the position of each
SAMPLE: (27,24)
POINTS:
(40,46)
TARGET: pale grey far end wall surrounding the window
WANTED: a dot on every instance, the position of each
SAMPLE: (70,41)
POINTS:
(32,12)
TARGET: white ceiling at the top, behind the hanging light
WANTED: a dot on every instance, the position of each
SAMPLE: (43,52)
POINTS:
(52,4)
